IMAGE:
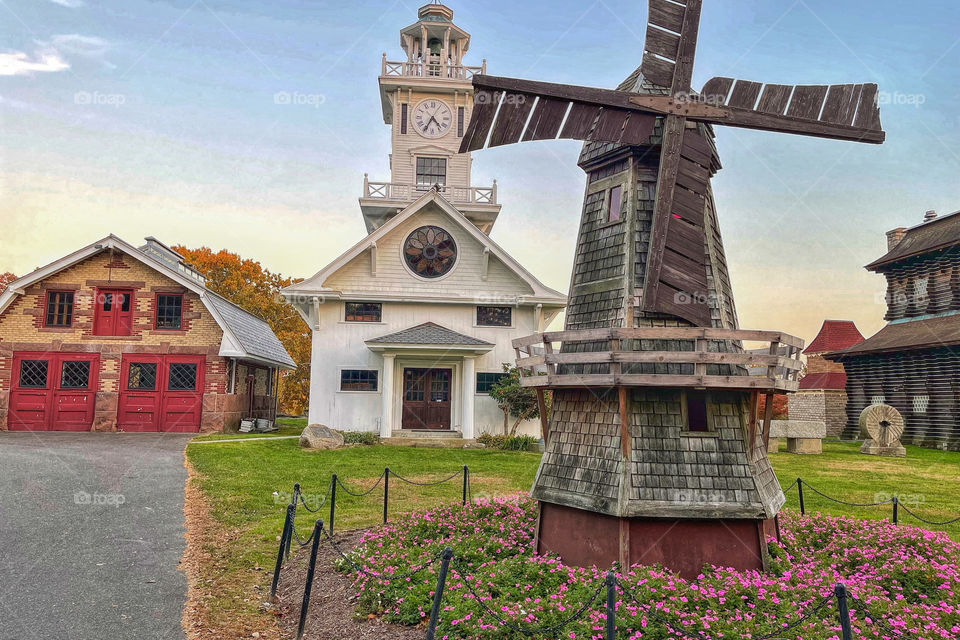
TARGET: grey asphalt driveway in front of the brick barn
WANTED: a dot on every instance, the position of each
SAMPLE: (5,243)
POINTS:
(91,527)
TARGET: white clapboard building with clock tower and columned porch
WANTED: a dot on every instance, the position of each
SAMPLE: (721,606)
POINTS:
(413,324)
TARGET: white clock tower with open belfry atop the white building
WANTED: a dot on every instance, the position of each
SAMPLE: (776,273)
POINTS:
(427,99)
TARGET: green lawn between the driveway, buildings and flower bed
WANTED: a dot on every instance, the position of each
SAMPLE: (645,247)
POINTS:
(239,480)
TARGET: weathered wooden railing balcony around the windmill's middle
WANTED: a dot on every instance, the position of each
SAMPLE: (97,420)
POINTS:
(545,363)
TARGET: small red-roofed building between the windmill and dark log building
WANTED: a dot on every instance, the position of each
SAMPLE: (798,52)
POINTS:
(822,396)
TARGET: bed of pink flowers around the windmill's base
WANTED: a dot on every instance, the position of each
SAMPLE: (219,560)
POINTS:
(904,581)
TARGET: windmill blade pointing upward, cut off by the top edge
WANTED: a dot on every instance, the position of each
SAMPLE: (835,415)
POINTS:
(670,43)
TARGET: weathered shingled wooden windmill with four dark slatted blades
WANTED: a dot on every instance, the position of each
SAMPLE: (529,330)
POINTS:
(654,449)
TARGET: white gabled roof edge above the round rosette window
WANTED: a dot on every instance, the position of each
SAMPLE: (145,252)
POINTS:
(541,292)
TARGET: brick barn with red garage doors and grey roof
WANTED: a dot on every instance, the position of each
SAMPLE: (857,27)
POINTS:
(118,338)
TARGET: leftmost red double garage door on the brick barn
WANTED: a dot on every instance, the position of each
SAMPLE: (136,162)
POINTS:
(53,391)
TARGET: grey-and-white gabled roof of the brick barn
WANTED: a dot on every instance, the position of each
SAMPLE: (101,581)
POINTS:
(244,335)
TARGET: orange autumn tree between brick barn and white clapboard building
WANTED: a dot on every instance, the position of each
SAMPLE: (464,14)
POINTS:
(247,283)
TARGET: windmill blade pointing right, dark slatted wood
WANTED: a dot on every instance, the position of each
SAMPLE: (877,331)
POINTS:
(840,111)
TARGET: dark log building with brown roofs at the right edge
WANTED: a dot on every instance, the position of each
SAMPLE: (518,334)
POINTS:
(913,363)
